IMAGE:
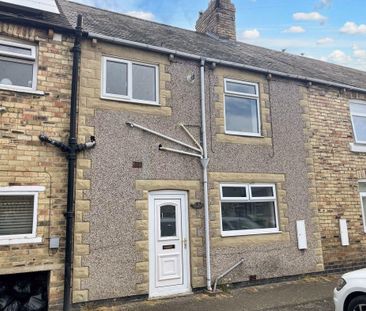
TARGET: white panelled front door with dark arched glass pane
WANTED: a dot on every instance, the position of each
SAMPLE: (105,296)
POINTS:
(169,246)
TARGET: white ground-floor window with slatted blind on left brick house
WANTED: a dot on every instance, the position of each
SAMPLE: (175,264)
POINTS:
(18,214)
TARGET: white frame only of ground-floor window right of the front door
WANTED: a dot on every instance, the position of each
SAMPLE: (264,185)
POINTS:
(249,198)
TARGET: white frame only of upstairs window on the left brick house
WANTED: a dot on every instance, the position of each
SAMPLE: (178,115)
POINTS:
(23,59)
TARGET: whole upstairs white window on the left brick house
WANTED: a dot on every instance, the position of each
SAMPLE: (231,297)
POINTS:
(18,66)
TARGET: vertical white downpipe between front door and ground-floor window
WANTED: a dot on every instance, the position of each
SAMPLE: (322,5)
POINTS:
(204,162)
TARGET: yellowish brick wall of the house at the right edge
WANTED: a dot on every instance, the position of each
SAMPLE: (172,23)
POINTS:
(337,171)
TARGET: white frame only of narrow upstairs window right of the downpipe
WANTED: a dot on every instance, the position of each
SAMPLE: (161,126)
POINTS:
(243,95)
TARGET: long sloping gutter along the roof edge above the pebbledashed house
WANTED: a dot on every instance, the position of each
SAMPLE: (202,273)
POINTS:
(158,49)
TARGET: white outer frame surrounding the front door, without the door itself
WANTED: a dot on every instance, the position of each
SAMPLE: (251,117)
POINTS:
(186,268)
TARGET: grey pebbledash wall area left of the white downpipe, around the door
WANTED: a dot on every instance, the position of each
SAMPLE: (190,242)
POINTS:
(112,235)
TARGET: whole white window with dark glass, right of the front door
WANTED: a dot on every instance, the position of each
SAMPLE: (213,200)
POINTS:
(248,209)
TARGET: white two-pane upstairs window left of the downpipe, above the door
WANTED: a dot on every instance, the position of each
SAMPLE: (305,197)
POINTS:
(130,81)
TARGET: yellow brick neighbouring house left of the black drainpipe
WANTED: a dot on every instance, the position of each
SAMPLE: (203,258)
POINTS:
(35,86)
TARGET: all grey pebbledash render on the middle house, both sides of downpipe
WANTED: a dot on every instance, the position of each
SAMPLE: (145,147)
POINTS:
(112,234)
